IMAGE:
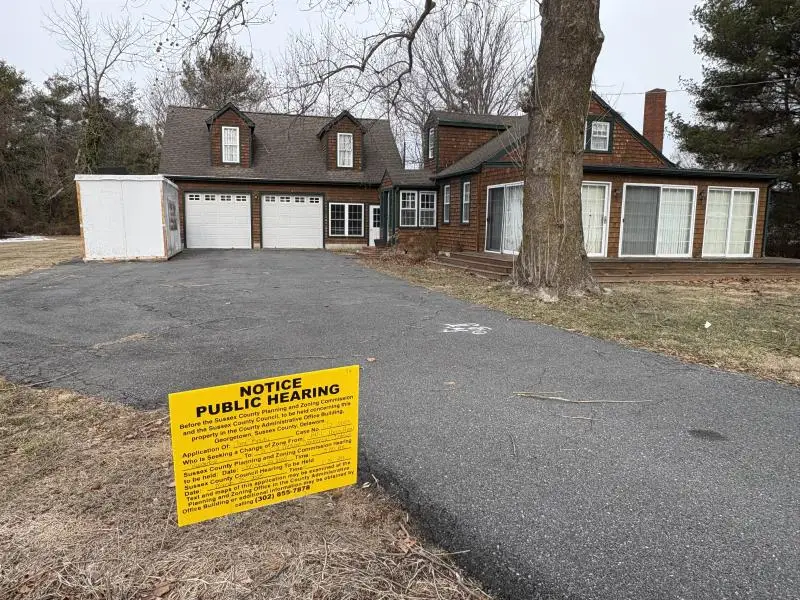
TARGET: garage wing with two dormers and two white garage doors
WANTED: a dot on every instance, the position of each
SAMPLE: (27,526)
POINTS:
(263,180)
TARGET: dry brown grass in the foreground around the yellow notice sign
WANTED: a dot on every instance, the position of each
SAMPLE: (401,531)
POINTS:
(87,512)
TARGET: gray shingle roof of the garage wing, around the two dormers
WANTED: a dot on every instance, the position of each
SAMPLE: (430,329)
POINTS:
(285,148)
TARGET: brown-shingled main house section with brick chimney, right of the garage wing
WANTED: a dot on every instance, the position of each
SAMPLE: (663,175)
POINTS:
(636,203)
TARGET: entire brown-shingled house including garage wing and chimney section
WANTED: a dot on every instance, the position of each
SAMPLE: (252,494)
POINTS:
(263,180)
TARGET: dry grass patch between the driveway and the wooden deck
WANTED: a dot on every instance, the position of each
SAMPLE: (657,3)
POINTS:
(755,325)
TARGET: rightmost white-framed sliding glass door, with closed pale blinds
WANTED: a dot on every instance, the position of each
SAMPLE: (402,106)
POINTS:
(730,222)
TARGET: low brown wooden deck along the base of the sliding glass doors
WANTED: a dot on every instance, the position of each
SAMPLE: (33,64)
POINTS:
(616,270)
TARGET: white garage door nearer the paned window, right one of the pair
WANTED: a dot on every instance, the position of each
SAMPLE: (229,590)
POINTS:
(291,221)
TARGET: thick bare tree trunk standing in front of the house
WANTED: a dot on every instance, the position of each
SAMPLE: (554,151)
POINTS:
(552,258)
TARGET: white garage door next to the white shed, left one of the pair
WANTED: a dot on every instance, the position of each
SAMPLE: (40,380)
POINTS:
(218,221)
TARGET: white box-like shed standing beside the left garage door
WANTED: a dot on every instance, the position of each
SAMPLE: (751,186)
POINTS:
(128,217)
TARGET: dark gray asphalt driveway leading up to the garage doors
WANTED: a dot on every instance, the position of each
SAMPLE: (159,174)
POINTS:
(678,482)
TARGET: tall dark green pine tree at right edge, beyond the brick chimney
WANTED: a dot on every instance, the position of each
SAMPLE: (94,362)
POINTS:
(748,104)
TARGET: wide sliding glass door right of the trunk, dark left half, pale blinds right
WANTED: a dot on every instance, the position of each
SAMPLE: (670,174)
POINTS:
(657,221)
